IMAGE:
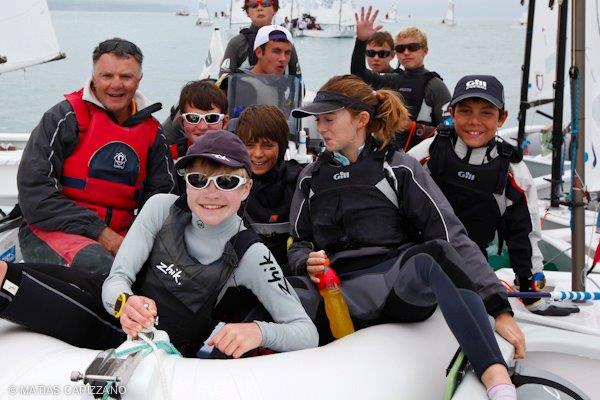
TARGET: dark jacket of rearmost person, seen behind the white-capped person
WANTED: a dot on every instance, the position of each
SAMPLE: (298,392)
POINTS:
(239,53)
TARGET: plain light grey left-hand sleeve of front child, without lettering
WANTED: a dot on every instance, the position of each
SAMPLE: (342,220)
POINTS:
(135,248)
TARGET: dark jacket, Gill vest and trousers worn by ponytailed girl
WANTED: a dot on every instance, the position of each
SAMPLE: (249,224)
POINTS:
(397,247)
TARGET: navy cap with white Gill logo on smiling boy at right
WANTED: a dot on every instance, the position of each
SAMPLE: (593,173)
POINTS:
(482,86)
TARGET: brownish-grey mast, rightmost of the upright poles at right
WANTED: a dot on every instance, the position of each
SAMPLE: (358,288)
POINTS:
(577,74)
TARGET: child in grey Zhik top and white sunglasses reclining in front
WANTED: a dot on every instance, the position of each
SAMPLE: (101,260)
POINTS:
(185,282)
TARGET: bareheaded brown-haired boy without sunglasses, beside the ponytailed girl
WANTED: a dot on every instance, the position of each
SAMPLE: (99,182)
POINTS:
(264,130)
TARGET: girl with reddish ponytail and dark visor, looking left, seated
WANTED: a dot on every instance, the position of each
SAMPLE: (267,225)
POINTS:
(377,218)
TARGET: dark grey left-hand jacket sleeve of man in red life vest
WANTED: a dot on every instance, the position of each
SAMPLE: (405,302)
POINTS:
(38,179)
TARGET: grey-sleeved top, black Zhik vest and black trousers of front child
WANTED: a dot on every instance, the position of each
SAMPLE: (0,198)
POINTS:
(66,304)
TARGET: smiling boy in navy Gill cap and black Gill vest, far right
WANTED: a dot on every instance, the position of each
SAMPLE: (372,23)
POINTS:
(487,183)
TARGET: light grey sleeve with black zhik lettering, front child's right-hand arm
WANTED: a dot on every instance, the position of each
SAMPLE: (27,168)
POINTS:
(292,330)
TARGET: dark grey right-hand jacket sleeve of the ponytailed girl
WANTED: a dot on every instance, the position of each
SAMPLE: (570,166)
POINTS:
(427,208)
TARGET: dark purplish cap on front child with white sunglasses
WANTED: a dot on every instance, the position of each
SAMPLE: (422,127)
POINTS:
(221,147)
